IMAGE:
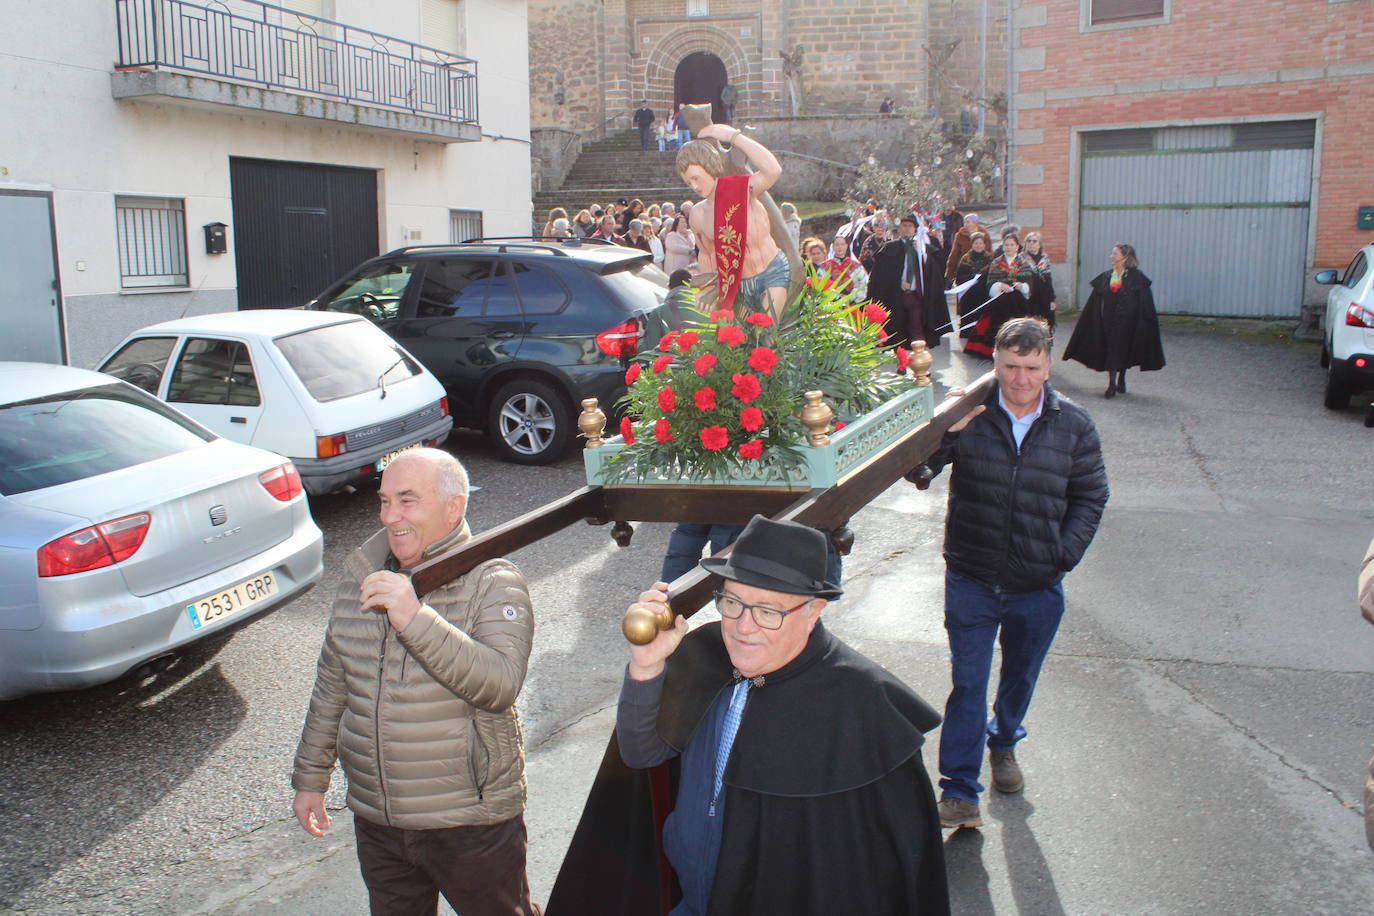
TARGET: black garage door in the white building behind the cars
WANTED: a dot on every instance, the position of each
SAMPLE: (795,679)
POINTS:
(297,227)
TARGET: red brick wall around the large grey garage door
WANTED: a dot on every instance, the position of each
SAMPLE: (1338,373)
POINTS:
(1213,61)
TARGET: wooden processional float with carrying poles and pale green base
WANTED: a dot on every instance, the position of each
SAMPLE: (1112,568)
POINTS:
(844,472)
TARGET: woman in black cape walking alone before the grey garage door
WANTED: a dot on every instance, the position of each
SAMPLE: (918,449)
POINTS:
(1119,328)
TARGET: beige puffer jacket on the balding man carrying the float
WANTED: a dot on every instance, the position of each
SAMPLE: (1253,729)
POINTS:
(424,722)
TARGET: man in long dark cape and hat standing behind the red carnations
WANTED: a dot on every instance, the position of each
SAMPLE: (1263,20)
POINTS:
(909,281)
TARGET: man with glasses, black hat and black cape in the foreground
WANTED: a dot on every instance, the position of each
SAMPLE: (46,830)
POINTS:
(788,766)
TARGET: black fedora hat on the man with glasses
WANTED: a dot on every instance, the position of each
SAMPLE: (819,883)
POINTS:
(781,557)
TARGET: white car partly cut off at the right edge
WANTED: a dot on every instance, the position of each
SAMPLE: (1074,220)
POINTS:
(1349,334)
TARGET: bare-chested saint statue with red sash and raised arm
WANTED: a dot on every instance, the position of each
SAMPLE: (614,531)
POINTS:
(745,252)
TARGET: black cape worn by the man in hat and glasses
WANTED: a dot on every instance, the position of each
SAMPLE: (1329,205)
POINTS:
(831,808)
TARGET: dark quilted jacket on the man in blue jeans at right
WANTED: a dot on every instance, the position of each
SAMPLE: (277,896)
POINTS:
(1020,523)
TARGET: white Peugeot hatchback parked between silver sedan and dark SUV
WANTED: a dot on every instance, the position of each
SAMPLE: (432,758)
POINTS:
(330,392)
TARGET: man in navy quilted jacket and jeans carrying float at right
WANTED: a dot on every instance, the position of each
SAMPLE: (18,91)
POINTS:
(1026,498)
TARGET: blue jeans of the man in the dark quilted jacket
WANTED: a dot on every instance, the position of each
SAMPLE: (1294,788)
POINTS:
(975,615)
